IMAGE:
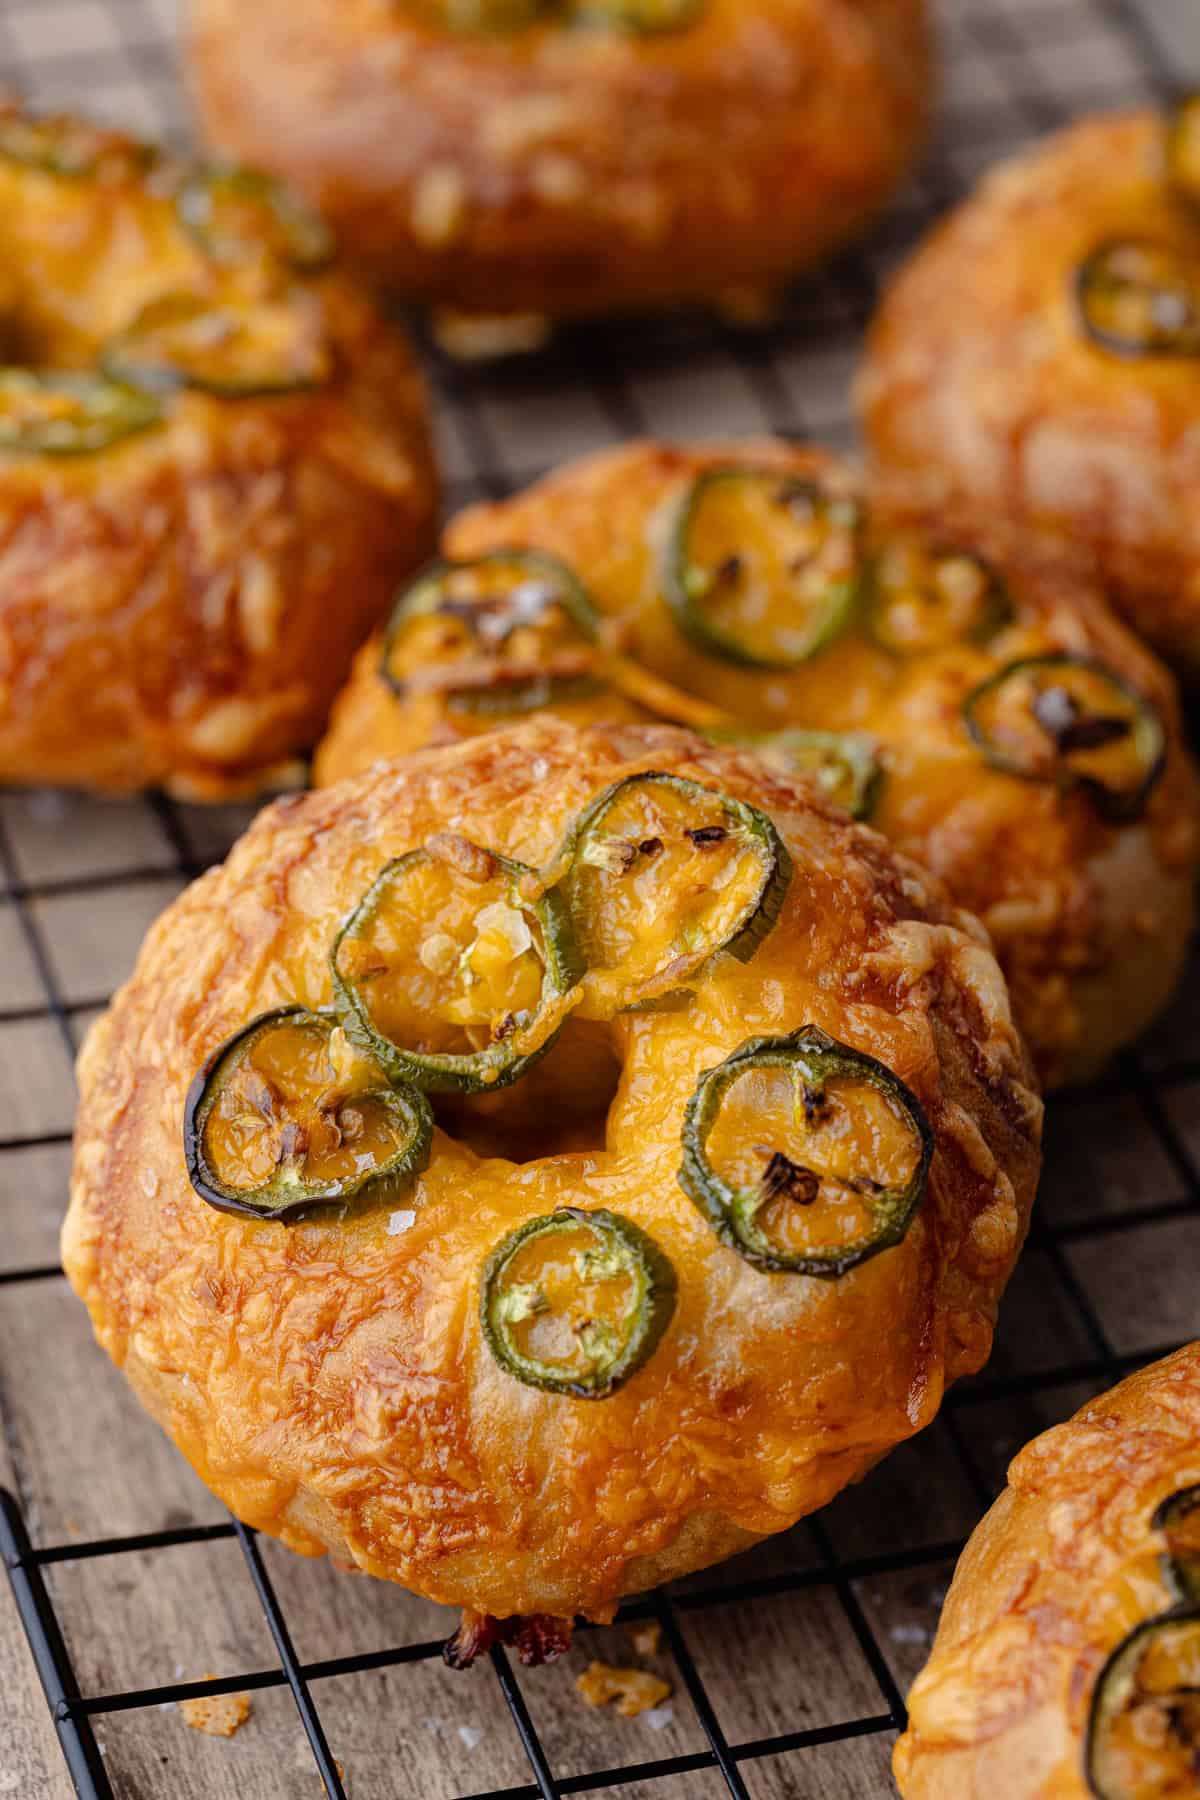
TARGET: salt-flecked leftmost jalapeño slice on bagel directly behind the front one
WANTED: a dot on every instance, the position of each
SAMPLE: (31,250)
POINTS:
(506,633)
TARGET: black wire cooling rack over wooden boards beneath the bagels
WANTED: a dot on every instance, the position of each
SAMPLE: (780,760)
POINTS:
(129,1583)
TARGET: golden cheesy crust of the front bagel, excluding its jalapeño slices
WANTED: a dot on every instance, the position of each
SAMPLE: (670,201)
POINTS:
(330,1380)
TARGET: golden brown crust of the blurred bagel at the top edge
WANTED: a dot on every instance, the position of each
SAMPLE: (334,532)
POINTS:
(575,172)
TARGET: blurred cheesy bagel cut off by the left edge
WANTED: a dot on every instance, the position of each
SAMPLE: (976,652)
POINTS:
(215,465)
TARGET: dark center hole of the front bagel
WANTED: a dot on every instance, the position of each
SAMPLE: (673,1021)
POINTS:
(560,1108)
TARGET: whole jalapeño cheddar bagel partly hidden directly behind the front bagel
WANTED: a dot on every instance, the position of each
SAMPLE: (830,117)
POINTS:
(989,717)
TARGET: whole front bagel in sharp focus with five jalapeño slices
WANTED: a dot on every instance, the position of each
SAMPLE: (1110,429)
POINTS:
(373,1336)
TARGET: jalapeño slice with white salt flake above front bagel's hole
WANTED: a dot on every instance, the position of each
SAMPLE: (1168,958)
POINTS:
(454,967)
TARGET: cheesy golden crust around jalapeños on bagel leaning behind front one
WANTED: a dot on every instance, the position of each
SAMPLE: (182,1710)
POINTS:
(1091,922)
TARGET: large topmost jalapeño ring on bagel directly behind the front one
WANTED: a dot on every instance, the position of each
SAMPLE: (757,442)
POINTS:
(764,570)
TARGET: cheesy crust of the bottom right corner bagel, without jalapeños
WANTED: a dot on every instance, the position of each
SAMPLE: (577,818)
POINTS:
(1059,1572)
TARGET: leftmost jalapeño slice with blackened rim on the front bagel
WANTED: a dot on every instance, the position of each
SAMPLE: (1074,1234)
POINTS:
(287,1119)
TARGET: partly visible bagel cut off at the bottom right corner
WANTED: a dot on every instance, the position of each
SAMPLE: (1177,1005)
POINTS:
(1068,1659)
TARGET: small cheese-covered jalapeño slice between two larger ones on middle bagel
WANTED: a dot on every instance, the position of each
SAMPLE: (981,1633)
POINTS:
(927,597)
